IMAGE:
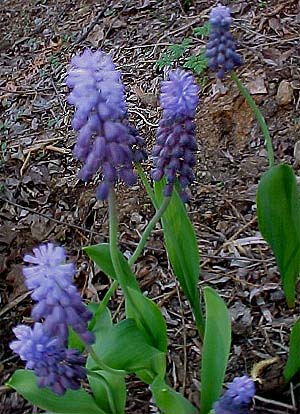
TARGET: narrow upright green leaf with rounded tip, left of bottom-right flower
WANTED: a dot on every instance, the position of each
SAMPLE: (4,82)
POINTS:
(216,347)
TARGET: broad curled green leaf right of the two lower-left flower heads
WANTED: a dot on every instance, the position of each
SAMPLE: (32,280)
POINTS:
(123,347)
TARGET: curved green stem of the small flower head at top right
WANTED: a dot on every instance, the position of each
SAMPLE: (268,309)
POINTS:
(260,119)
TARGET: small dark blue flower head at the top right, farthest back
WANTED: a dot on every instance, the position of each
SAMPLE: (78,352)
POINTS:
(221,49)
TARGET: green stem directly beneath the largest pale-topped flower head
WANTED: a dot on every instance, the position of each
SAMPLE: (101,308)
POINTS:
(113,239)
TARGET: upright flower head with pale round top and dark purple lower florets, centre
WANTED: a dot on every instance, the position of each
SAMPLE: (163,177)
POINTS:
(174,152)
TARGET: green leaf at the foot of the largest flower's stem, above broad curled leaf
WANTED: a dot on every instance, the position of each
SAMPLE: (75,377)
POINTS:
(148,318)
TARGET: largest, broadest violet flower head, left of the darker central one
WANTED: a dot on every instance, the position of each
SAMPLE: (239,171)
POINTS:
(105,139)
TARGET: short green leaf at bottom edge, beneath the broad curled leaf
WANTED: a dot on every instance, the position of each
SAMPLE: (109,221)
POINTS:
(109,391)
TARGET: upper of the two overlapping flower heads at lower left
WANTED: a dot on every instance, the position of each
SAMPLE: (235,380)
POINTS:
(58,301)
